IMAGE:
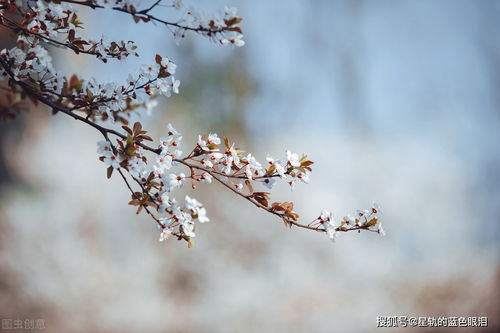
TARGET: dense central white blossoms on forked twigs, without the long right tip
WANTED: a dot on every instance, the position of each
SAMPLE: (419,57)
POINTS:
(209,159)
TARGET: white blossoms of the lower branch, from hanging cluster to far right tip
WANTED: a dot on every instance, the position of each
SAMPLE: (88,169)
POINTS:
(229,165)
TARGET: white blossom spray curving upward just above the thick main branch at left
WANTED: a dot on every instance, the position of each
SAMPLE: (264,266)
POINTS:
(29,61)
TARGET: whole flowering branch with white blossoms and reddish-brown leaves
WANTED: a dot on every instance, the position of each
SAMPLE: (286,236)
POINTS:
(29,73)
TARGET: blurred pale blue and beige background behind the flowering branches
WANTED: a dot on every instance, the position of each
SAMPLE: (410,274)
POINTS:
(396,102)
